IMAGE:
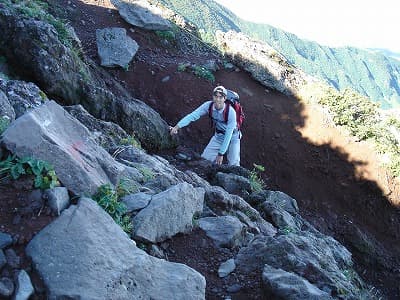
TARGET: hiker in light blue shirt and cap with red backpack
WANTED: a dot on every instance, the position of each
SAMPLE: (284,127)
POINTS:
(226,138)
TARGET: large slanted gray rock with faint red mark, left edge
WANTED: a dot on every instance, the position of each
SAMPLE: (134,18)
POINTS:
(50,129)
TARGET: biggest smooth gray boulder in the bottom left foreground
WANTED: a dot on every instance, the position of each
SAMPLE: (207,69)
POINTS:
(84,254)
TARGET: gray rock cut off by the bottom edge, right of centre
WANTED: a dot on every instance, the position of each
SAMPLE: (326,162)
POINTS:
(279,284)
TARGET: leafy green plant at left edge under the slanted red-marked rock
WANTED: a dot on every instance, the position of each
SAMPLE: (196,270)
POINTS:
(15,167)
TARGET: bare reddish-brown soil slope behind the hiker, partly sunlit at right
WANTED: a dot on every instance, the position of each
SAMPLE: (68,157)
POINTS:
(337,181)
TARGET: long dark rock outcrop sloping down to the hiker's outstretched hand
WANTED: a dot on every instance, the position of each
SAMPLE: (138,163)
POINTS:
(37,51)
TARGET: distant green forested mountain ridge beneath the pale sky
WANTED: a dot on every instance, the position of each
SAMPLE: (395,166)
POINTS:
(368,72)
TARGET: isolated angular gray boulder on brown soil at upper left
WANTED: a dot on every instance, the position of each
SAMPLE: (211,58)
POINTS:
(115,48)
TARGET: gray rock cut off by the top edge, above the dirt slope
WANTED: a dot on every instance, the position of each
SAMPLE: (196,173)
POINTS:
(142,14)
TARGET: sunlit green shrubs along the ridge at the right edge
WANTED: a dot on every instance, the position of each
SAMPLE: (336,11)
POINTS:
(362,118)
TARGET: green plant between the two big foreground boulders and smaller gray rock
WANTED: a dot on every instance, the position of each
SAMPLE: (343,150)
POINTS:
(108,198)
